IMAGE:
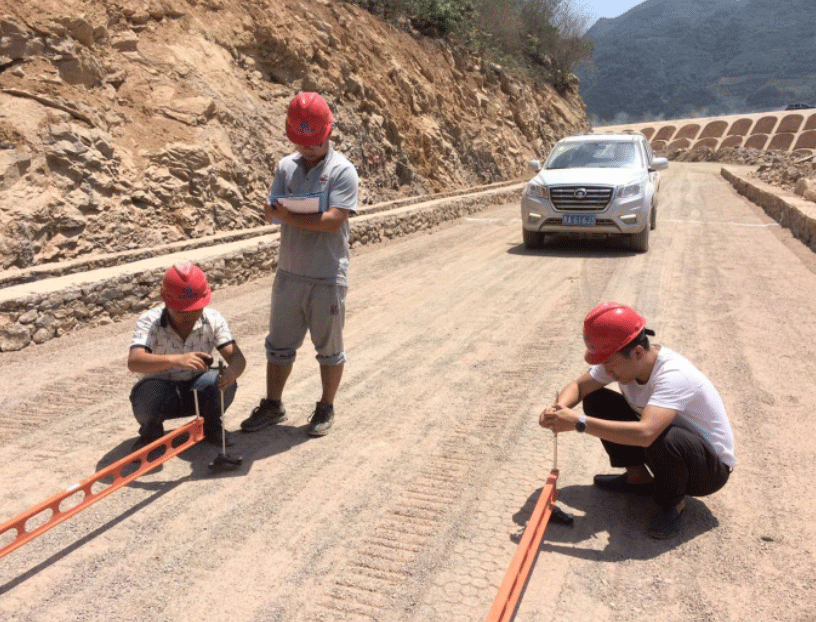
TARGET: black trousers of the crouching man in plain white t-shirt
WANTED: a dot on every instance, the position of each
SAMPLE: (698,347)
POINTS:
(681,461)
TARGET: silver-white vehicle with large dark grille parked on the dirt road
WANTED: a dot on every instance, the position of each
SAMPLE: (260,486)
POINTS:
(594,185)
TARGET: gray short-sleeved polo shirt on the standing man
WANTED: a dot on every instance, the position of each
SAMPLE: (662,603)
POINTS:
(314,255)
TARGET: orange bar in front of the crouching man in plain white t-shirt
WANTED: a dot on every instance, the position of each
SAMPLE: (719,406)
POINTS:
(504,606)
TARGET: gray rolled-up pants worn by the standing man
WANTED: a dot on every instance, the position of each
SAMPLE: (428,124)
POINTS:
(299,305)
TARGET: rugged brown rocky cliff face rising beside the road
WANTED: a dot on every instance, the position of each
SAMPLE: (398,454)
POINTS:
(136,124)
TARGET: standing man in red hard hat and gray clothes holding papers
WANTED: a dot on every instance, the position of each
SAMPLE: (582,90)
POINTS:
(309,290)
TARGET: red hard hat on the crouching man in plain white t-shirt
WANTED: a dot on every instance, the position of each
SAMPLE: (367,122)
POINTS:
(608,328)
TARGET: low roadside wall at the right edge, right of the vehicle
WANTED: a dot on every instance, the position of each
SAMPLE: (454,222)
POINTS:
(792,212)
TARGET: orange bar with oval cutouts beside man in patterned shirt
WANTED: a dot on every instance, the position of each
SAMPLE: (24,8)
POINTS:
(195,429)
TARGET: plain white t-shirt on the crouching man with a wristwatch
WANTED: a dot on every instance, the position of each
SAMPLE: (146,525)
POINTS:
(678,385)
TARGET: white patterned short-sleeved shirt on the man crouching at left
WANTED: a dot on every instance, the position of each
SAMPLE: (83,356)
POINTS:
(154,334)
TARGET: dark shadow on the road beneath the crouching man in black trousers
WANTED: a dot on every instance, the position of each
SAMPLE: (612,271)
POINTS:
(620,519)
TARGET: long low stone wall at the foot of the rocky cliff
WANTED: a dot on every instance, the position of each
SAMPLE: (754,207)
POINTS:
(47,302)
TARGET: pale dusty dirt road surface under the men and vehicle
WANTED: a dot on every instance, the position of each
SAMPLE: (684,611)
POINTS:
(410,509)
